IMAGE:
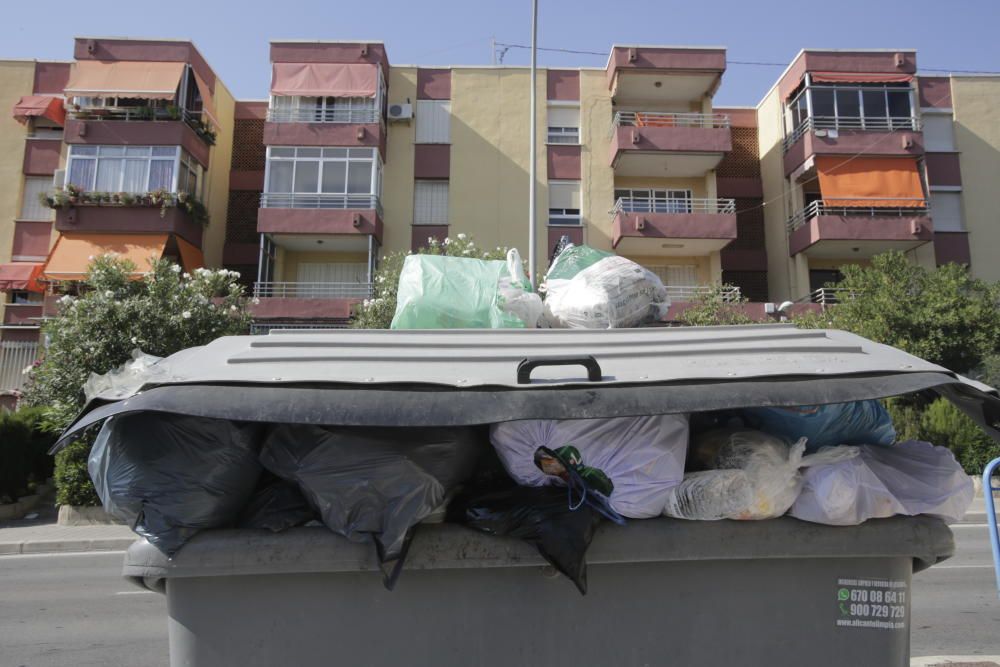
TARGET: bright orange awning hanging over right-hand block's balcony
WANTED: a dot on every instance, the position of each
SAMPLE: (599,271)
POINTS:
(870,181)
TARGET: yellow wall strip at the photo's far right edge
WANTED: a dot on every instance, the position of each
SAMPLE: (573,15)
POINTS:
(976,101)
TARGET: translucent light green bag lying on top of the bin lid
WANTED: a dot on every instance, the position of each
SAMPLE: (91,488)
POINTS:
(441,292)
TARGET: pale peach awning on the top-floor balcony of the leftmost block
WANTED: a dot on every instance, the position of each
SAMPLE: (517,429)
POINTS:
(146,80)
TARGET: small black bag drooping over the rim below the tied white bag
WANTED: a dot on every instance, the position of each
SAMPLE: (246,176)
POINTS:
(540,515)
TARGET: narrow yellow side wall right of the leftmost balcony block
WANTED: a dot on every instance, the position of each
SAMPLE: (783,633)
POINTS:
(217,181)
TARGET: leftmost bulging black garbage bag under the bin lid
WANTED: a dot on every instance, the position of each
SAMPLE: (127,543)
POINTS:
(169,476)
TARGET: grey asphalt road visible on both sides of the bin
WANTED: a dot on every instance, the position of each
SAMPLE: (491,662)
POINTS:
(75,610)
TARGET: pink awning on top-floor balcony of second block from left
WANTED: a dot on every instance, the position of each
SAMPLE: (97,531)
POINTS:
(325,79)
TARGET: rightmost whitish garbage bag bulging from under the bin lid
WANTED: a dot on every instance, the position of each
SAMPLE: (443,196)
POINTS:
(909,478)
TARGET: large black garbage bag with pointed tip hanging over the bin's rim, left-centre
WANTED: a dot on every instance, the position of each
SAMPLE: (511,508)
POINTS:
(374,483)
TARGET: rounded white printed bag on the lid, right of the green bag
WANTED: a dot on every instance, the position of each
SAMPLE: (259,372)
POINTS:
(611,294)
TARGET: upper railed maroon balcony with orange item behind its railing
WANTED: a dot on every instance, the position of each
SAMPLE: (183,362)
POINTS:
(679,145)
